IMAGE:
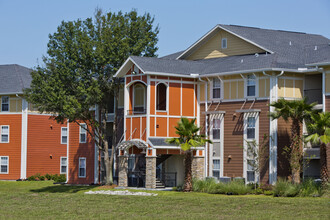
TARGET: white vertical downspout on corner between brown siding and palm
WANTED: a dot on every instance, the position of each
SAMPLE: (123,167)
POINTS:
(273,127)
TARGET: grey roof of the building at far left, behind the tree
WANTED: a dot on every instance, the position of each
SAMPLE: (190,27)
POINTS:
(14,78)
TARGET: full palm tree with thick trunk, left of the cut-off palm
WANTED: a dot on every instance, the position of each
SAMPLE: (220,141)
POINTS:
(295,111)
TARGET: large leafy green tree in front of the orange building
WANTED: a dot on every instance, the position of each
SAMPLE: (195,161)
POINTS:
(77,75)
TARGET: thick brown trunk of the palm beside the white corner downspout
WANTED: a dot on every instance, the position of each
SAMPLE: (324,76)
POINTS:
(296,152)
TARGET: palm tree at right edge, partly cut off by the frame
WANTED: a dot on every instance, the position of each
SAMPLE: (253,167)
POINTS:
(320,129)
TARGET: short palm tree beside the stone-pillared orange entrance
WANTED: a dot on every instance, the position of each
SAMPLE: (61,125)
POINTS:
(187,140)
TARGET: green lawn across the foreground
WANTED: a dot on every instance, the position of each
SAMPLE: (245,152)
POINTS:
(26,200)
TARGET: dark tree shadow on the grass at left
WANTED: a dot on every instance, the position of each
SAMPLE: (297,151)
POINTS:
(63,189)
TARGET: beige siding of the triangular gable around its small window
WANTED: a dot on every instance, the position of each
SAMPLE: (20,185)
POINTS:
(212,47)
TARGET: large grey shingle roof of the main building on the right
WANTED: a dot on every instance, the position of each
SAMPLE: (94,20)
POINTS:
(291,50)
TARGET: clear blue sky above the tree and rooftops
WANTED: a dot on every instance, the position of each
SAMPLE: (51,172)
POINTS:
(25,25)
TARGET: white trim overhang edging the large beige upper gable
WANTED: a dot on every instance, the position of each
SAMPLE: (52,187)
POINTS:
(212,32)
